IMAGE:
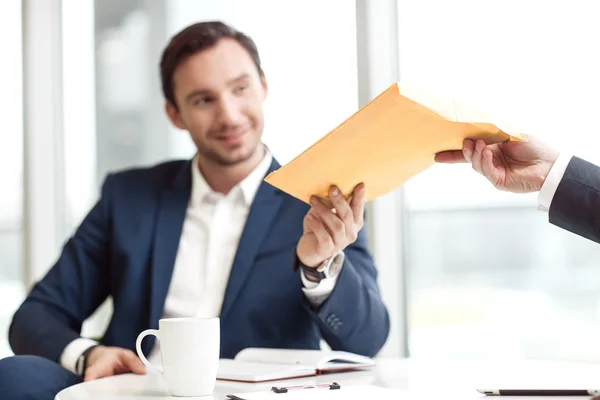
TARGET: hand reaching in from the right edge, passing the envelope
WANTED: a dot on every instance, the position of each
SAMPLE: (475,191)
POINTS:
(518,167)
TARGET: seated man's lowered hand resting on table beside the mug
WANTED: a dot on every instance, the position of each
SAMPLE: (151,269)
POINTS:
(108,361)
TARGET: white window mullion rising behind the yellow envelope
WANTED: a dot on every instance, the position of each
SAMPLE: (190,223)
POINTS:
(377,45)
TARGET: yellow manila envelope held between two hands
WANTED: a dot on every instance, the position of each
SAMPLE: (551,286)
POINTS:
(386,142)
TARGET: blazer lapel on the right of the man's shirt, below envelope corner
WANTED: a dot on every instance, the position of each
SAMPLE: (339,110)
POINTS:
(262,214)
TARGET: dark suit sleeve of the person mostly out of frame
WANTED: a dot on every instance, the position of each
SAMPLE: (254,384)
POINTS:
(576,203)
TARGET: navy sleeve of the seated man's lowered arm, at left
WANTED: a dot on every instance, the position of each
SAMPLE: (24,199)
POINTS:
(52,314)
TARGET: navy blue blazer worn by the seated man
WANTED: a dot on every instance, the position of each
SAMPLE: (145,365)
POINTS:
(126,247)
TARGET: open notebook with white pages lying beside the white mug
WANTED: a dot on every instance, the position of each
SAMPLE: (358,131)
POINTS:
(261,365)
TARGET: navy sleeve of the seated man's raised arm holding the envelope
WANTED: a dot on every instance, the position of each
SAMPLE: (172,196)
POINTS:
(354,318)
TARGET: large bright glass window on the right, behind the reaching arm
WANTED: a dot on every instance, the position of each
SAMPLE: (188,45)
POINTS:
(487,274)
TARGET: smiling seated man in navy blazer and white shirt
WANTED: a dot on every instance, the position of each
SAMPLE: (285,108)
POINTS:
(202,237)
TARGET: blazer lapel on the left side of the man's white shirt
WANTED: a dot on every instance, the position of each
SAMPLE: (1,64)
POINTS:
(171,215)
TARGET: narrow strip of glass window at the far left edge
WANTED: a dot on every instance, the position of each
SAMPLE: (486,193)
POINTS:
(12,288)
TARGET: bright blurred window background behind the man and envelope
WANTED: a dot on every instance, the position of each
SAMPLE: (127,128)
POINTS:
(465,270)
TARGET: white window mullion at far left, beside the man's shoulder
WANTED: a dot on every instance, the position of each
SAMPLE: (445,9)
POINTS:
(43,139)
